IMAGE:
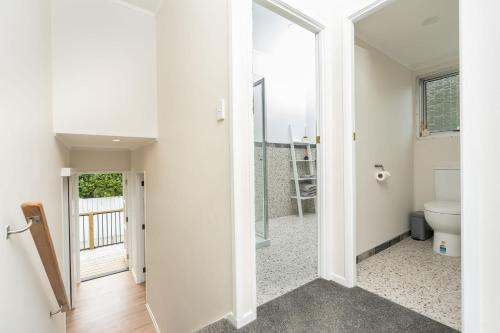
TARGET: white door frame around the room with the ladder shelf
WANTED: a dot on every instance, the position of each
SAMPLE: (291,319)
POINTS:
(244,308)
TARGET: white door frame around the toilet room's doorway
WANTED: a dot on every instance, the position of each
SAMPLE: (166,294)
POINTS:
(469,319)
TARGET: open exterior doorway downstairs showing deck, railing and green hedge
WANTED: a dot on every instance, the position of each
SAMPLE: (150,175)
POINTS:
(102,225)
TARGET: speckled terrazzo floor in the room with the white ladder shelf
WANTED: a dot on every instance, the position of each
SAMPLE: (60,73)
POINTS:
(292,258)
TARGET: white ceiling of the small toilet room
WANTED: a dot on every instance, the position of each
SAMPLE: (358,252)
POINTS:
(417,33)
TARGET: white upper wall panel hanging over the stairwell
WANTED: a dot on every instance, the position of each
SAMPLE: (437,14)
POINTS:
(104,58)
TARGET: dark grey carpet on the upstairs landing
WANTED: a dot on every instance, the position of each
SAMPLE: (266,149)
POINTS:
(324,306)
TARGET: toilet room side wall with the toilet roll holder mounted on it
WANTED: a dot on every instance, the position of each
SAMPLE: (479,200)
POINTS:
(384,135)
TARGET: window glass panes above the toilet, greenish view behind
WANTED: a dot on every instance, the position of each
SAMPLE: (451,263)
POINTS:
(440,104)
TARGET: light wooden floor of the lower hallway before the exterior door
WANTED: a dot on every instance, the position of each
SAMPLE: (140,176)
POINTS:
(114,303)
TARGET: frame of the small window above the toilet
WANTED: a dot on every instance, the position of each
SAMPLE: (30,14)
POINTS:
(423,132)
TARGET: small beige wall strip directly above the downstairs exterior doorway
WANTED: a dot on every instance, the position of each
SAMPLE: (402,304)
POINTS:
(100,160)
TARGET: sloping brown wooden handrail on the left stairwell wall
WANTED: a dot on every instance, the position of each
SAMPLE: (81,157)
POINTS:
(43,242)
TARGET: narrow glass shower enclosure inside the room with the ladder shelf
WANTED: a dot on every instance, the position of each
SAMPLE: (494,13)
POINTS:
(259,118)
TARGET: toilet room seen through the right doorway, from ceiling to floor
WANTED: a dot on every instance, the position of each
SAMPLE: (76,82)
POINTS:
(407,137)
